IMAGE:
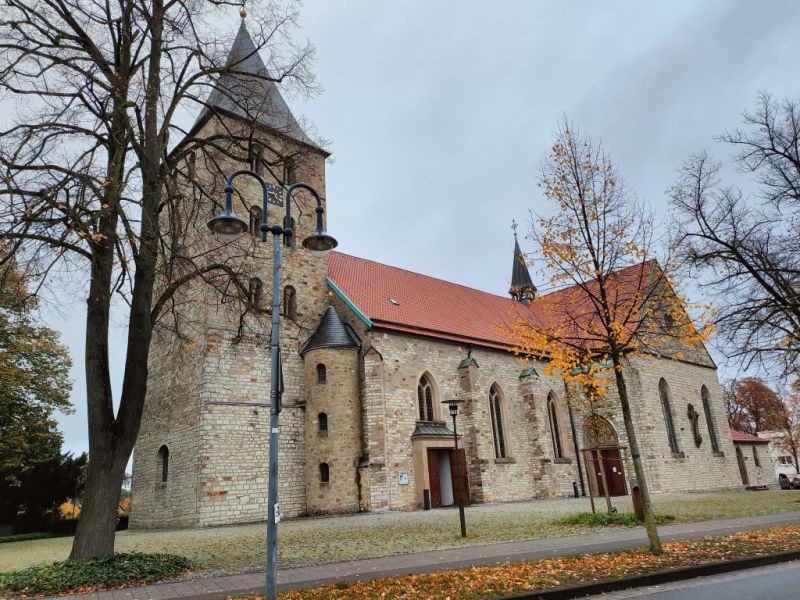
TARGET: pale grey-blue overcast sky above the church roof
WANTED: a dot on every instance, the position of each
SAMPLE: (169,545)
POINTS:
(440,112)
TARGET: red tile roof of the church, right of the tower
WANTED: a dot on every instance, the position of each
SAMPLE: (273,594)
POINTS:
(401,300)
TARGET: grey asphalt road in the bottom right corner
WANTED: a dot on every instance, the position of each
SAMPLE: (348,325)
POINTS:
(775,582)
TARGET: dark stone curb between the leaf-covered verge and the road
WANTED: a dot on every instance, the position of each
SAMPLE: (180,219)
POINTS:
(656,578)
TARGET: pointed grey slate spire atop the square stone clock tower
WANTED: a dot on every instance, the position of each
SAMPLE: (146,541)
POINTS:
(245,93)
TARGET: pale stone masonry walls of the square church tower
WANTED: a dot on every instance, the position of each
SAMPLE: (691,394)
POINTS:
(217,395)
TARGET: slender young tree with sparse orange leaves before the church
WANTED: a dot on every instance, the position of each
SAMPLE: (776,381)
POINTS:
(614,300)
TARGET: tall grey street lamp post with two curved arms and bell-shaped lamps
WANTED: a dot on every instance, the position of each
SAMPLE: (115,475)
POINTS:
(227,227)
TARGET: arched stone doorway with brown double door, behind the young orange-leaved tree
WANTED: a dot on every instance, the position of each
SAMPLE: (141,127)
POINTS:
(601,441)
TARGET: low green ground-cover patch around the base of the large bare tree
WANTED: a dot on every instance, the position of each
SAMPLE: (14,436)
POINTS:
(97,573)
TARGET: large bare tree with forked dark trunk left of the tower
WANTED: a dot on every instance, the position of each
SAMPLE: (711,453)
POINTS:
(96,187)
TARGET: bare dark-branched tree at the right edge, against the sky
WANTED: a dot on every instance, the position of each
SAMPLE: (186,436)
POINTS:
(744,249)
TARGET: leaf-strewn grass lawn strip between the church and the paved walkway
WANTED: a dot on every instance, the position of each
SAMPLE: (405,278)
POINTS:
(319,540)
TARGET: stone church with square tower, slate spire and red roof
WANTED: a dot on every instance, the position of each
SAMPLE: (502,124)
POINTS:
(370,352)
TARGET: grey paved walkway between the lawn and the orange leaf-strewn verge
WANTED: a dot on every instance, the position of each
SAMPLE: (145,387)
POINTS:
(212,588)
